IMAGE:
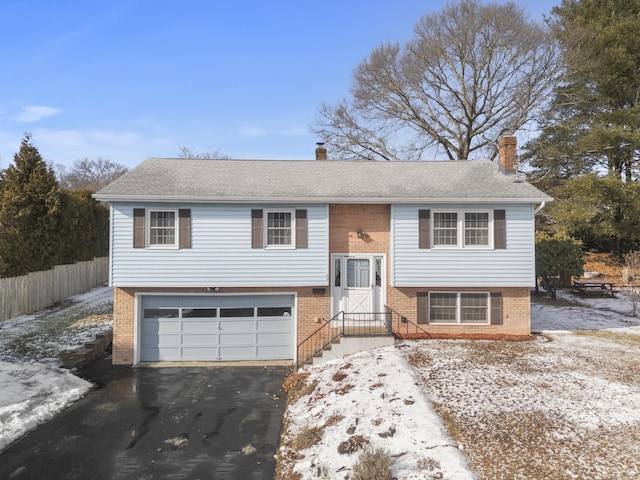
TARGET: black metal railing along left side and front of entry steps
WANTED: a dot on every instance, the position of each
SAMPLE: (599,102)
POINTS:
(343,325)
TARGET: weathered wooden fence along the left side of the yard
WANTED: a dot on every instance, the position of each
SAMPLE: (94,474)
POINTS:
(38,290)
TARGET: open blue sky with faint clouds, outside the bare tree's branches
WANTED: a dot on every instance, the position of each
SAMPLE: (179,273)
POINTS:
(129,79)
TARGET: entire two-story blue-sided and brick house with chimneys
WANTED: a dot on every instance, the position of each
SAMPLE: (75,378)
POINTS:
(248,259)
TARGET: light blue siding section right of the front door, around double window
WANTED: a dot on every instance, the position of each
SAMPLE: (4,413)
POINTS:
(463,267)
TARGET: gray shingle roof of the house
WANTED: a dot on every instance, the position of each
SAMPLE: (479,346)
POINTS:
(317,181)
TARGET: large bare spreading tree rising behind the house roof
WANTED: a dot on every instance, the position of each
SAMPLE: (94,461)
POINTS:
(470,73)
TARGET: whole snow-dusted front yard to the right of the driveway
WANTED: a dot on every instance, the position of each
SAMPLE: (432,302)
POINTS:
(564,406)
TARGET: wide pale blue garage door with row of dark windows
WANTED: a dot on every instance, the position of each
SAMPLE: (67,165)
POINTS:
(216,328)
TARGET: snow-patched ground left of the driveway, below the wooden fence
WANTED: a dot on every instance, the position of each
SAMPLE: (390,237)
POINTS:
(33,388)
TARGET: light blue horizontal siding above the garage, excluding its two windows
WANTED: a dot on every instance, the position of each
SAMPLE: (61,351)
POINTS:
(220,253)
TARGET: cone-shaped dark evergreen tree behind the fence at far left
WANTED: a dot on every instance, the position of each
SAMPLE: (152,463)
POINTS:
(29,214)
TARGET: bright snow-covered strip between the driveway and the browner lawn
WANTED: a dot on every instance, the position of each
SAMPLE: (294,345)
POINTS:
(375,396)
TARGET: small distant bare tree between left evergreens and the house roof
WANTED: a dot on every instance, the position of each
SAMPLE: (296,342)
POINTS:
(90,174)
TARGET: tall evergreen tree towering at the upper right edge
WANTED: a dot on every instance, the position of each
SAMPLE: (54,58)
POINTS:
(593,123)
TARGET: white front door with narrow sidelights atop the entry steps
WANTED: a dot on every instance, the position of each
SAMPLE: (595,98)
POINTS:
(357,284)
